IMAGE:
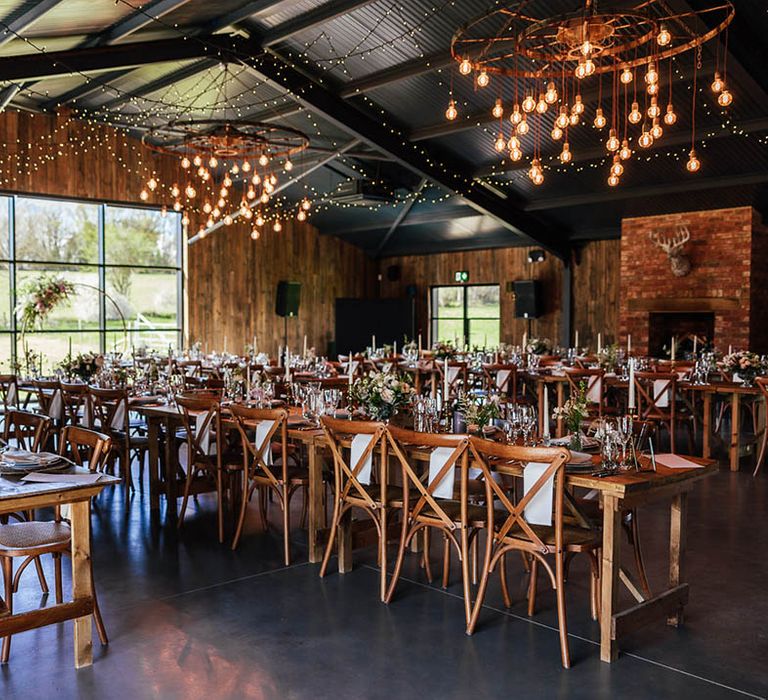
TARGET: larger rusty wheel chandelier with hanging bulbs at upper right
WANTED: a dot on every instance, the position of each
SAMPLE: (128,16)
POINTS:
(549,61)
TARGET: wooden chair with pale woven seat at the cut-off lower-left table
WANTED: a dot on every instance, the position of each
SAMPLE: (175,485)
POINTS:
(32,539)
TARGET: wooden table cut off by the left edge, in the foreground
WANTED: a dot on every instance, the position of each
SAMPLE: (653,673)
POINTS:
(15,496)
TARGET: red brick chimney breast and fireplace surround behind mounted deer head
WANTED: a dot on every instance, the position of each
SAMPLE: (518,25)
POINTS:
(728,251)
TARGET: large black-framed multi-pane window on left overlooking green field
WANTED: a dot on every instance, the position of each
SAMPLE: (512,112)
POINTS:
(125,263)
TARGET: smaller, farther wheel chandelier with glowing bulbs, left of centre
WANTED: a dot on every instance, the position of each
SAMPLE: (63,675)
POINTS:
(219,159)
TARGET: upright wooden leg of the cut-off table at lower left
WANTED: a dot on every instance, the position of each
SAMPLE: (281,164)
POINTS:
(82,582)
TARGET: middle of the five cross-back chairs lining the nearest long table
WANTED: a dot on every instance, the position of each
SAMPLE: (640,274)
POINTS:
(377,499)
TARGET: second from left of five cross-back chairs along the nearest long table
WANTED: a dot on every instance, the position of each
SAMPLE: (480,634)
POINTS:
(267,471)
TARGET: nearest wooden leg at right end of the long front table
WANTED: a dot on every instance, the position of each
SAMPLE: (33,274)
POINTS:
(609,576)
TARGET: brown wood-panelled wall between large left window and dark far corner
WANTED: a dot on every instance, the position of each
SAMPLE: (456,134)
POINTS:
(233,281)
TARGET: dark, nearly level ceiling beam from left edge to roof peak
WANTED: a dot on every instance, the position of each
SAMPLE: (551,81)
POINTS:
(105,58)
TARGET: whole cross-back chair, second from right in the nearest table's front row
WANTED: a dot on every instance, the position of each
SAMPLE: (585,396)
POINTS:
(457,519)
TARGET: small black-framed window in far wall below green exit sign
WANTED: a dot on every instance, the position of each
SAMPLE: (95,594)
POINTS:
(468,313)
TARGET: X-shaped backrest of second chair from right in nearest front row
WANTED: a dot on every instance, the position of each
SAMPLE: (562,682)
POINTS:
(401,441)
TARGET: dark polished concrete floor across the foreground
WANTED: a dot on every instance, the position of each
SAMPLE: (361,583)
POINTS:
(188,618)
